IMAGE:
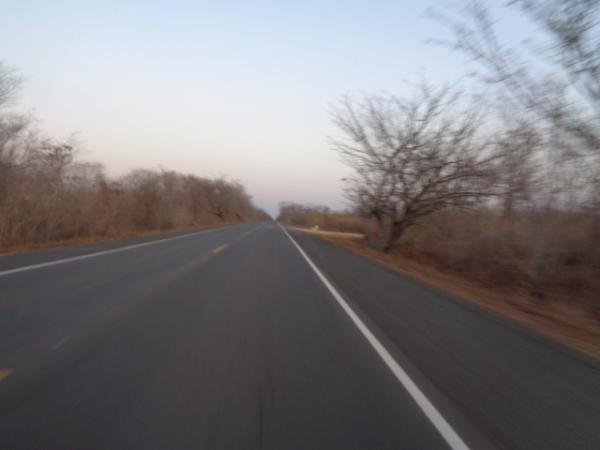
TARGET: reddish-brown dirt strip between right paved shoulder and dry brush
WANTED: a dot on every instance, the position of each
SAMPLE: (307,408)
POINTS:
(568,325)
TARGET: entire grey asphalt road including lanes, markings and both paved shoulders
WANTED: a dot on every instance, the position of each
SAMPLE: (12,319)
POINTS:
(228,339)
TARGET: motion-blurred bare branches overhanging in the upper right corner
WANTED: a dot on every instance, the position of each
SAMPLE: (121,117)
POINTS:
(558,84)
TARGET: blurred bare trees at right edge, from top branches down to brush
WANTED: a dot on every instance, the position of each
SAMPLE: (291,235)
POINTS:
(551,83)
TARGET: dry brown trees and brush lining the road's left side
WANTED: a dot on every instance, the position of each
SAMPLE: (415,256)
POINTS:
(47,194)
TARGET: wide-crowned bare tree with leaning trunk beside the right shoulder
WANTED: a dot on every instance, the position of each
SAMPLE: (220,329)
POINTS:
(413,156)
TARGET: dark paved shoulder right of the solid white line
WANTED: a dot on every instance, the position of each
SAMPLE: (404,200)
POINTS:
(519,389)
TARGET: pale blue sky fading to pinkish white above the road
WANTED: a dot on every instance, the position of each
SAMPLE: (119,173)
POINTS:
(236,88)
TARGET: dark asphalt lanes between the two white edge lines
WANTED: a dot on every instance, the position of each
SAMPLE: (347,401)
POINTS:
(221,339)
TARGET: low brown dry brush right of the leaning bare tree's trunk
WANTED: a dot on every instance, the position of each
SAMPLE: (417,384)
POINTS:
(550,255)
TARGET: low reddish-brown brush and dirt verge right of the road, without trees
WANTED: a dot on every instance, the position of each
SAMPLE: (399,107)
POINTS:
(548,280)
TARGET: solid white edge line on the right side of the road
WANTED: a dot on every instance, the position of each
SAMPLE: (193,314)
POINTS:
(450,436)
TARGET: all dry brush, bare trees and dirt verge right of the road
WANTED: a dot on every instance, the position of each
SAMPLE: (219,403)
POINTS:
(494,195)
